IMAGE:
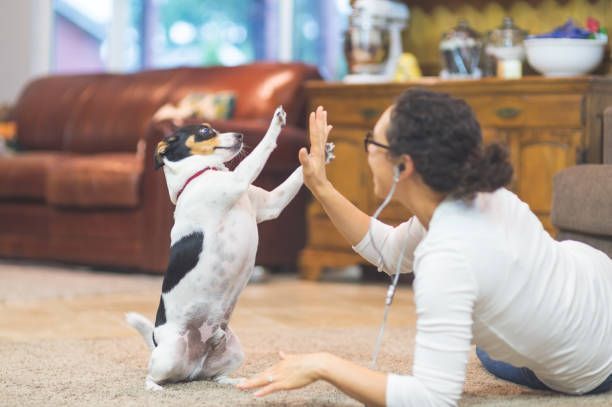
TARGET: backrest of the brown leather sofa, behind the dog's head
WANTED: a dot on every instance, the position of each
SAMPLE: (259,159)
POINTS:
(99,113)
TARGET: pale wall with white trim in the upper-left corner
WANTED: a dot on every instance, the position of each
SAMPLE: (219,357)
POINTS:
(25,28)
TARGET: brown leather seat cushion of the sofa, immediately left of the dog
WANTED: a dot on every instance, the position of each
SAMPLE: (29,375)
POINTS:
(100,180)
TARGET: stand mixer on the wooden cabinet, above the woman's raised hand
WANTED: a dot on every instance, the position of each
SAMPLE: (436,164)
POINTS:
(373,40)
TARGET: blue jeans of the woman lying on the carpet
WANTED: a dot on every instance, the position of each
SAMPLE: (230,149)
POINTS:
(524,376)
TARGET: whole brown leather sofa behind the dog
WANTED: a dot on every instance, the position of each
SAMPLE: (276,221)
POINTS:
(84,189)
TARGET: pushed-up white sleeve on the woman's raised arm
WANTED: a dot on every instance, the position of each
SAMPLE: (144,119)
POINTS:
(383,245)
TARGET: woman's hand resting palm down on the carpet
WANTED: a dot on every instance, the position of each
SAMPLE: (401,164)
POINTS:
(292,372)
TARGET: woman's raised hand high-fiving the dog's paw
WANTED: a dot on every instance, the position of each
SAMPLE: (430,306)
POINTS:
(313,162)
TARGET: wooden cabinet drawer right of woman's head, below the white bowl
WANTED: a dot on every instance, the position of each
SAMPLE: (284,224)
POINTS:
(530,111)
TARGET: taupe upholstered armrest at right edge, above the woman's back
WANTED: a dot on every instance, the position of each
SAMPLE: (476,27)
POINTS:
(581,199)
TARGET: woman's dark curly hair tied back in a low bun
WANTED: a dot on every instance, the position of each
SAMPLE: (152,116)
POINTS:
(442,136)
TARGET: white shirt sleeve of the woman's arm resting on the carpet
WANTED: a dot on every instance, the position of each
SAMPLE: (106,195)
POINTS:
(445,292)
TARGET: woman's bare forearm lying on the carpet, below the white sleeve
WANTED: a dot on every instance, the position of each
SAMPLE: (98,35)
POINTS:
(362,384)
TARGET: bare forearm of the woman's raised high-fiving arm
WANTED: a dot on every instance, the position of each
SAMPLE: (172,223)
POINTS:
(350,221)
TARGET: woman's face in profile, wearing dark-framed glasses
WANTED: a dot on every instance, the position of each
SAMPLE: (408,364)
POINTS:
(378,158)
